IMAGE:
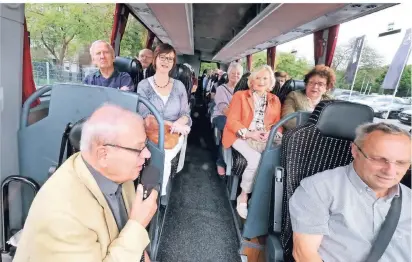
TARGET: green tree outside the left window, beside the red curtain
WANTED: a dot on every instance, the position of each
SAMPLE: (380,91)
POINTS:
(62,29)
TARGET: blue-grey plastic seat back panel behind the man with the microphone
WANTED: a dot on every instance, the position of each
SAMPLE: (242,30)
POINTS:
(68,104)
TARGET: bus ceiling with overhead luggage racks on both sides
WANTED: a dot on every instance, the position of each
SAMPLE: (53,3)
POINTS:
(227,32)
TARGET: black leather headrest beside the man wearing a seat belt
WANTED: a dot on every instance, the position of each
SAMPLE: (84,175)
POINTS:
(339,119)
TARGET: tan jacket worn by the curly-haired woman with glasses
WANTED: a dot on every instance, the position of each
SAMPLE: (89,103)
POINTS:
(298,101)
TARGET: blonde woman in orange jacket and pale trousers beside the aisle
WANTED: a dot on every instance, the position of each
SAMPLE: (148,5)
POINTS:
(250,116)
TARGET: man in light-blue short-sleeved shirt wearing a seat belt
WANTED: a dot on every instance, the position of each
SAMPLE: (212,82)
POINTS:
(336,215)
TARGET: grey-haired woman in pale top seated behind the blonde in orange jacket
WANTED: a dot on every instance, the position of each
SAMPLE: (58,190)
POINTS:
(223,97)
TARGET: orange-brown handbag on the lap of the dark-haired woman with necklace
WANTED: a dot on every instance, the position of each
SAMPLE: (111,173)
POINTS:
(152,132)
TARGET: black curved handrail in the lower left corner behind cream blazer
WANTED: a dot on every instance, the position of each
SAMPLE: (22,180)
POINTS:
(4,202)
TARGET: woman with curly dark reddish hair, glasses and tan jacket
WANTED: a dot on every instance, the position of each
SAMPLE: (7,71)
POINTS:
(317,84)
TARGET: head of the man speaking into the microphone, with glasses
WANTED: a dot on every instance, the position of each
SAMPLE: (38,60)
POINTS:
(113,142)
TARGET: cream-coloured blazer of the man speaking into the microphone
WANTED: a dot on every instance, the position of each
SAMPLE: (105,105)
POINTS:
(71,221)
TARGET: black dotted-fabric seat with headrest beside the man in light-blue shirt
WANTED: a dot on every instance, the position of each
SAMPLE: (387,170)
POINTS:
(322,143)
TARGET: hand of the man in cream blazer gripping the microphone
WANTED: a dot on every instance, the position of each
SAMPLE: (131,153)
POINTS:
(143,210)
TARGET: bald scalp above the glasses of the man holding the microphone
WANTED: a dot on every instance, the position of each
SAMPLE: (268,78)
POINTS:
(108,124)
